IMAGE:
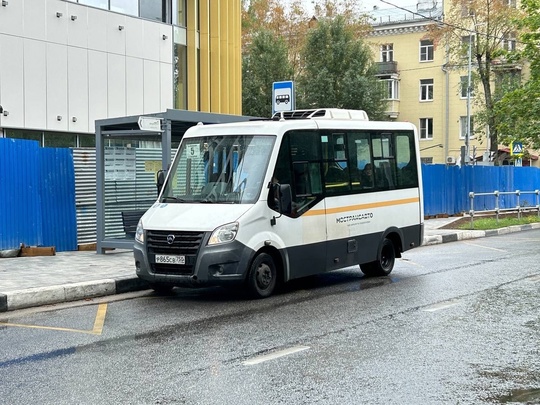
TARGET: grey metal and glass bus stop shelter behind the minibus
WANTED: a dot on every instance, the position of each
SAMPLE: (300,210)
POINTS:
(129,153)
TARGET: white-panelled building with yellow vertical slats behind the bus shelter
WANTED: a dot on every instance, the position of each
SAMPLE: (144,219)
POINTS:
(66,63)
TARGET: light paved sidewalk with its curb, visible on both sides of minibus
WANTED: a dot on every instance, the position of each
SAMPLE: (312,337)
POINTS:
(70,276)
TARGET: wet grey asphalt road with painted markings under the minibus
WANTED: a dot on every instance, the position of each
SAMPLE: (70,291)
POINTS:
(457,323)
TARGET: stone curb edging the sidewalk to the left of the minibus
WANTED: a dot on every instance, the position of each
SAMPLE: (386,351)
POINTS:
(33,297)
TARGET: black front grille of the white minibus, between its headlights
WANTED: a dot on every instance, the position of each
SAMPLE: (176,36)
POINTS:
(174,242)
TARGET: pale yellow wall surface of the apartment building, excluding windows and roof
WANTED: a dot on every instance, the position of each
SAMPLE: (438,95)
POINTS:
(447,105)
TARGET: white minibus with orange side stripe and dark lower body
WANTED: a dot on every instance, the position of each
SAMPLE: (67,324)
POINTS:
(263,202)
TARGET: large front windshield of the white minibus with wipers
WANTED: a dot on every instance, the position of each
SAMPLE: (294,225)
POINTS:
(218,169)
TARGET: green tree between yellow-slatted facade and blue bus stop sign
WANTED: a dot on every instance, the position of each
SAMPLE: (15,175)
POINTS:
(264,62)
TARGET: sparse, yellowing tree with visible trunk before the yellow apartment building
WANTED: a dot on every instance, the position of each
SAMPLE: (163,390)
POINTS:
(485,25)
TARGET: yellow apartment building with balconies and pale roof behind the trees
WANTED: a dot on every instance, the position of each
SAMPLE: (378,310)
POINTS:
(424,88)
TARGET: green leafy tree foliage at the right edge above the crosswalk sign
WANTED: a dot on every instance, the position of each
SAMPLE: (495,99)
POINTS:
(519,110)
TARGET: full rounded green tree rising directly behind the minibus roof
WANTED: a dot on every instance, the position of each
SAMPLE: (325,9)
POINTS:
(338,71)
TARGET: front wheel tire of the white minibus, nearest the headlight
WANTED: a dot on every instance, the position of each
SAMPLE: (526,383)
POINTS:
(262,276)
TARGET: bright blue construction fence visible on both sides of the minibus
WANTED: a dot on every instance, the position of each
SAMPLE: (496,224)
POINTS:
(37,193)
